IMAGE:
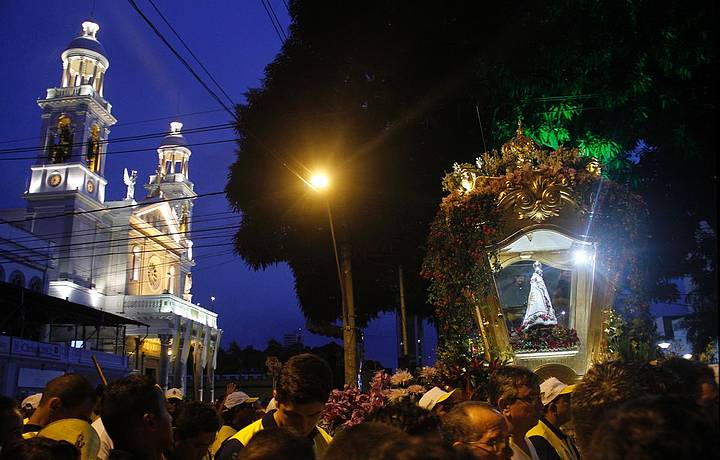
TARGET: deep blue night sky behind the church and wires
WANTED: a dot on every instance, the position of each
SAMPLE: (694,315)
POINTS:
(147,87)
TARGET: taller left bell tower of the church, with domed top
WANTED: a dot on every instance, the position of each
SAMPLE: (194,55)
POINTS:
(75,123)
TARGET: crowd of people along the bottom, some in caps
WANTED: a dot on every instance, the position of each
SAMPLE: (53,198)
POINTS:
(618,410)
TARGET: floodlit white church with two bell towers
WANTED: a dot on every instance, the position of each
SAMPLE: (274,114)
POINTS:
(131,257)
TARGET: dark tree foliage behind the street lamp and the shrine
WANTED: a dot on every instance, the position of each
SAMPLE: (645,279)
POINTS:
(387,95)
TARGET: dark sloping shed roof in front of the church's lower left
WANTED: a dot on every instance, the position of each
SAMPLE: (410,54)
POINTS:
(44,309)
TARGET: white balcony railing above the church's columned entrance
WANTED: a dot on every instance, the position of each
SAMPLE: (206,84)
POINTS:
(168,303)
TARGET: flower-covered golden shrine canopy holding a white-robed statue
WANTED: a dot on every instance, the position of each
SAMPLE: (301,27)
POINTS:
(525,254)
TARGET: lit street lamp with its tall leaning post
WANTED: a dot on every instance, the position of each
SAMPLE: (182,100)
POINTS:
(319,182)
